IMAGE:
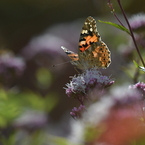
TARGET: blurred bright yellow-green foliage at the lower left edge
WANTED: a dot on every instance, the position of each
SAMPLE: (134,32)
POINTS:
(12,104)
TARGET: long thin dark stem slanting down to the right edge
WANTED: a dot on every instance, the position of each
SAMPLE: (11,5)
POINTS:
(131,32)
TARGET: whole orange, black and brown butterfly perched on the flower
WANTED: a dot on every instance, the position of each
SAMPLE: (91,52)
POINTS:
(92,51)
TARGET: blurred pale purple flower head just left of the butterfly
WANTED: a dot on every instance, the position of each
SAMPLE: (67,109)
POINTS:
(46,44)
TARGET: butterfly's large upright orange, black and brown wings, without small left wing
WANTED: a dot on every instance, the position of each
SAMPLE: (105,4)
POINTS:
(91,47)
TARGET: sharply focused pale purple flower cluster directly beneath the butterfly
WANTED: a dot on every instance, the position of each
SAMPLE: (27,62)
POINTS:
(89,80)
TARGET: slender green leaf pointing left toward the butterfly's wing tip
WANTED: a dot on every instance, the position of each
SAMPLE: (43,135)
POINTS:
(116,25)
